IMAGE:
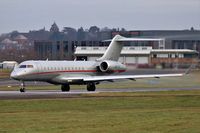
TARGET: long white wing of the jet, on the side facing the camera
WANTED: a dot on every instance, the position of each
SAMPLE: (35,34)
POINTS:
(115,77)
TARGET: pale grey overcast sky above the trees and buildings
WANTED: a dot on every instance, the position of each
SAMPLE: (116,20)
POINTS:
(25,15)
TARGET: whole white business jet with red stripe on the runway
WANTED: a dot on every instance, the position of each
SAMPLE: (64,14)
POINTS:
(90,73)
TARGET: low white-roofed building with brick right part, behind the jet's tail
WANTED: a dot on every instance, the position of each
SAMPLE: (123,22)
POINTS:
(144,56)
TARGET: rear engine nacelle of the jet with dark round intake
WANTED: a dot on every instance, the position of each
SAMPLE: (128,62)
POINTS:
(111,67)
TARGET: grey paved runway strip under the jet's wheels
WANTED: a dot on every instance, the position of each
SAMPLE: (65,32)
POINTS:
(53,94)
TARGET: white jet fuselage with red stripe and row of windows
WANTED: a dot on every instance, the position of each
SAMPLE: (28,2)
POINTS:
(51,71)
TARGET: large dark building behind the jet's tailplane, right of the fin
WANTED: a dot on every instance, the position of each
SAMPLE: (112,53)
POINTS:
(173,39)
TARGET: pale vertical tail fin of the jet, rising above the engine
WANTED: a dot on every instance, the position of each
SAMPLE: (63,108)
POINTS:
(114,50)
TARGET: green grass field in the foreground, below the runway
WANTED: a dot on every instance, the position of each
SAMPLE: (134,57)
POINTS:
(141,112)
